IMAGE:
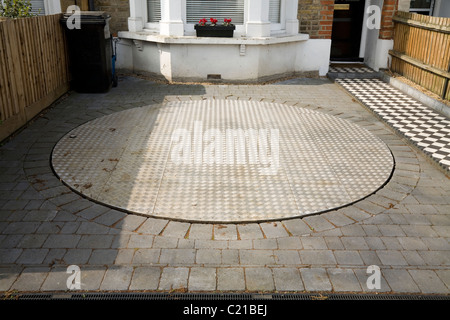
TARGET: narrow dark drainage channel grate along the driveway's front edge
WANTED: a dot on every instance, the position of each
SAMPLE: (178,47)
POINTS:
(218,296)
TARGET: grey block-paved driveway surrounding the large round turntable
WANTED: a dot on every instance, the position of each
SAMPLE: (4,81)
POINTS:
(44,226)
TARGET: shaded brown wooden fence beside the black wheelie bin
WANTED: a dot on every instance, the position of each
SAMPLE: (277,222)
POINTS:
(33,68)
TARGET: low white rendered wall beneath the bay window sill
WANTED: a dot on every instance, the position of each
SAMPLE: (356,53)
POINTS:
(193,61)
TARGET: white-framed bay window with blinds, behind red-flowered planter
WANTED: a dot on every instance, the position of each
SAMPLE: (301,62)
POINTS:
(253,18)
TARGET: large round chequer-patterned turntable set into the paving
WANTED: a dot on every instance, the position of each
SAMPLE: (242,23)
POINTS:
(222,161)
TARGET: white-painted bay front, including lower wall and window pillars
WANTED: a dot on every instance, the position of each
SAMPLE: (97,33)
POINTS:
(257,51)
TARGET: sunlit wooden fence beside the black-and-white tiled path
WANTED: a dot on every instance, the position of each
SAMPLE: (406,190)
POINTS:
(421,51)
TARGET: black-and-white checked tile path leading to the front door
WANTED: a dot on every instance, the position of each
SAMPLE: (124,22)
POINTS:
(425,127)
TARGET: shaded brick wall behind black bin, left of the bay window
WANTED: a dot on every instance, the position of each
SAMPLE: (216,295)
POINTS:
(118,9)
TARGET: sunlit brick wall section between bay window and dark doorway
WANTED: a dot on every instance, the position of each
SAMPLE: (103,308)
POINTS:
(316,18)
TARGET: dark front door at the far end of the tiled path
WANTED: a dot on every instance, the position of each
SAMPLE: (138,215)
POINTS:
(347,27)
